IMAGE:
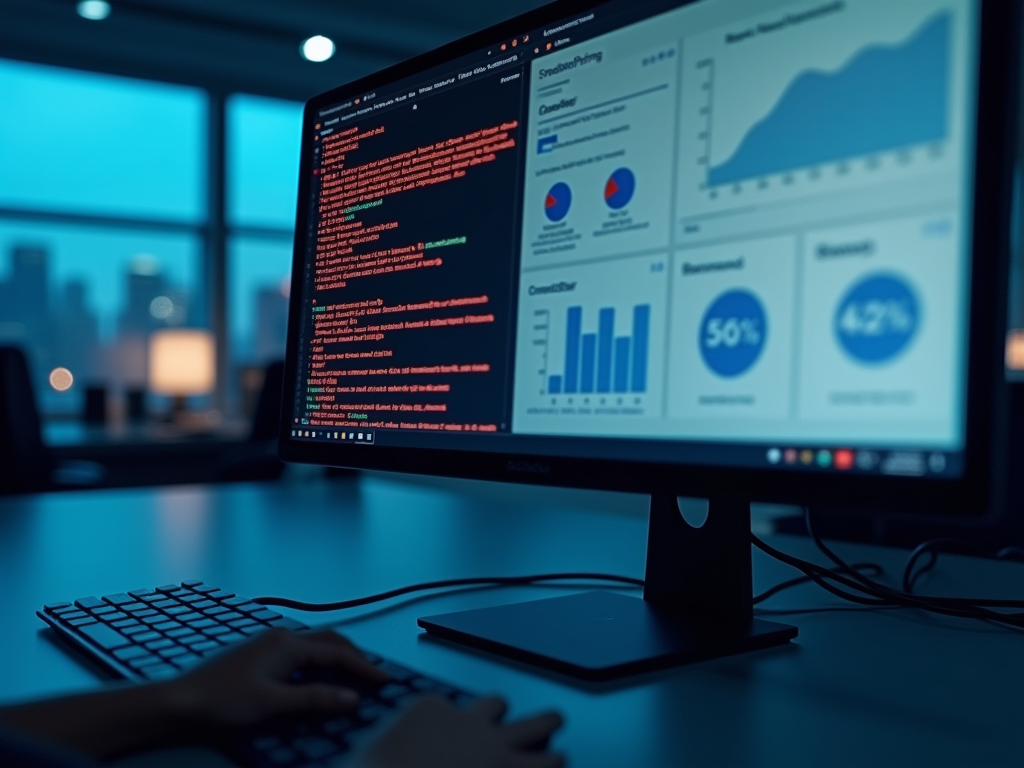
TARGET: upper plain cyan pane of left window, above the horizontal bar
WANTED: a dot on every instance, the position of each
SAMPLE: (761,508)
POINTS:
(81,143)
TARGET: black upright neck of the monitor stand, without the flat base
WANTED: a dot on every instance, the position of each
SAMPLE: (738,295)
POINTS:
(702,573)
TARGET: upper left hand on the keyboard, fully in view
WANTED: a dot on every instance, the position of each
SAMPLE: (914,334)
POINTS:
(250,682)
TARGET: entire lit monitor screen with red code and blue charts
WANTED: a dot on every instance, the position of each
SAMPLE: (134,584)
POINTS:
(729,233)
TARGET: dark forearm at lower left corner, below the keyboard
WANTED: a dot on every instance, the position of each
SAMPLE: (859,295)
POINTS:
(108,722)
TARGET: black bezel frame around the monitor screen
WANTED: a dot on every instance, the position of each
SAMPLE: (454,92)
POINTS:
(968,495)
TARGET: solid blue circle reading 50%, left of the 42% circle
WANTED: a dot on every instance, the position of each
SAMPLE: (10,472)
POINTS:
(733,333)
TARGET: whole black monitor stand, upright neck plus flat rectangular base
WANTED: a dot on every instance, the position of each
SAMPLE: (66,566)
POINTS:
(698,605)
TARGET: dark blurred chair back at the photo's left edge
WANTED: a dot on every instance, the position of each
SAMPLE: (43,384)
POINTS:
(26,463)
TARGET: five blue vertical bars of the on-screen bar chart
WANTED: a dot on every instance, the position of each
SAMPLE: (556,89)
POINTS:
(599,362)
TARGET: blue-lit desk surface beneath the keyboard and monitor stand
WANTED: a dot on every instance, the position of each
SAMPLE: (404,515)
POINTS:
(858,688)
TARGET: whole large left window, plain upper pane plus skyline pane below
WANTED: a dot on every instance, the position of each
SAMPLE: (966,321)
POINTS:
(103,204)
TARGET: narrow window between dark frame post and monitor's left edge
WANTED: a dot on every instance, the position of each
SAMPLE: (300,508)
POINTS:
(264,139)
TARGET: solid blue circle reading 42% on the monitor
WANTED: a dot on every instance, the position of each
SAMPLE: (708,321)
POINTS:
(877,319)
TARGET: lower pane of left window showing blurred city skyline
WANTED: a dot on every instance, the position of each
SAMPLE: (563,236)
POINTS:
(87,300)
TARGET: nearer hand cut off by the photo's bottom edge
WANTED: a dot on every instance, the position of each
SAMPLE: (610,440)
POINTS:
(434,734)
